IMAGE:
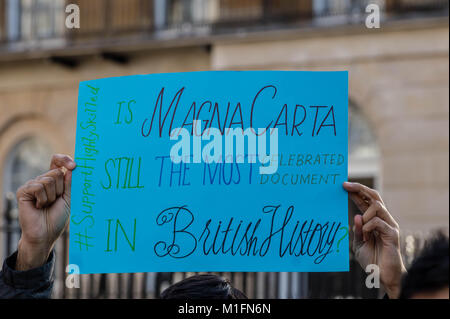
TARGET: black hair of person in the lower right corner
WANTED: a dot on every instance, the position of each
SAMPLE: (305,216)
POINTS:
(429,271)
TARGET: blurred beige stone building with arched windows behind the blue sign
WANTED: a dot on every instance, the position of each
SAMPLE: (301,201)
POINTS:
(398,89)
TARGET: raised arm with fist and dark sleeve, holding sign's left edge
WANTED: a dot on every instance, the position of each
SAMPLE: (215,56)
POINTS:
(44,210)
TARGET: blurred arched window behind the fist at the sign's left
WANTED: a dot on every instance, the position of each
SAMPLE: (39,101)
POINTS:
(27,159)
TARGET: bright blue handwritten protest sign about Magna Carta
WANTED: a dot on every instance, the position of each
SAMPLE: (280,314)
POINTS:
(211,171)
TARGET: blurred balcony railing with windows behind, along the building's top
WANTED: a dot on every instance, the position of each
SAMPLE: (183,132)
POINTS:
(40,24)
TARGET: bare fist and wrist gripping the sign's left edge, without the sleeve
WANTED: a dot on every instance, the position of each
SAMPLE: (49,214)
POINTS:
(44,210)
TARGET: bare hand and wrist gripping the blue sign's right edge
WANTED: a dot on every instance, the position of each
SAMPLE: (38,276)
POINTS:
(376,237)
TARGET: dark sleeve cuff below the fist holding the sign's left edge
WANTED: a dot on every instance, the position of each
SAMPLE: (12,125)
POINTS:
(33,283)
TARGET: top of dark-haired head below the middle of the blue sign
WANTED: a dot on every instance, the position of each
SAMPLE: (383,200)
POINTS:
(203,287)
